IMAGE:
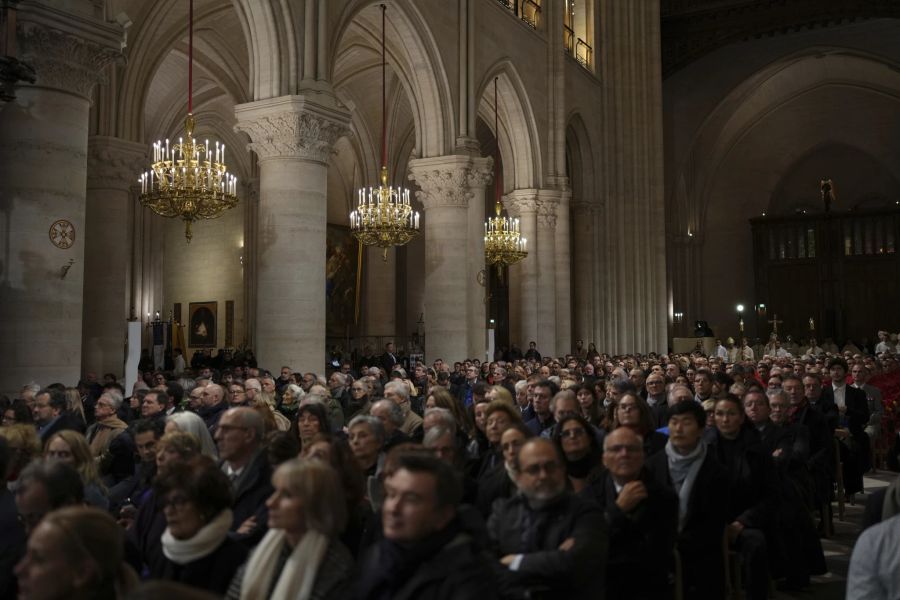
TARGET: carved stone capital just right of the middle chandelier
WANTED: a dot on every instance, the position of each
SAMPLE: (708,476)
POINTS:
(449,180)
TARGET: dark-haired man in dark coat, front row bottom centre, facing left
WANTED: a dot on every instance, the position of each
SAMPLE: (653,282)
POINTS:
(427,551)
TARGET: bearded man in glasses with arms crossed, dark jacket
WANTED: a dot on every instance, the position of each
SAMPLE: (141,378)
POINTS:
(548,540)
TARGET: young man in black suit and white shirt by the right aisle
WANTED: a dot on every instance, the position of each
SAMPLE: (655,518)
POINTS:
(852,406)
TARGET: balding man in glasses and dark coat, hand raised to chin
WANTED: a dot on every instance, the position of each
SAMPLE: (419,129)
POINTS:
(643,521)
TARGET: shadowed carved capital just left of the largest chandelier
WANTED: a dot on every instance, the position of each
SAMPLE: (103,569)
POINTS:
(114,163)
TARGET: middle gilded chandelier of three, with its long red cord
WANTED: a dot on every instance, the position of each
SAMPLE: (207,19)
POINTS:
(383,216)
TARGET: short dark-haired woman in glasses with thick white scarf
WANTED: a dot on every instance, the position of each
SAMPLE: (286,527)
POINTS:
(196,500)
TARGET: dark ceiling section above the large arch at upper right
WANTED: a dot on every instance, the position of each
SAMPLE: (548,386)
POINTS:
(693,28)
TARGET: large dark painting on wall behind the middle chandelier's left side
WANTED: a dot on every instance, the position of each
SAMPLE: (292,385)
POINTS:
(342,263)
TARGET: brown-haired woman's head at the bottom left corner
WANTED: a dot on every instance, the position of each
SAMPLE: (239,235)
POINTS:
(75,553)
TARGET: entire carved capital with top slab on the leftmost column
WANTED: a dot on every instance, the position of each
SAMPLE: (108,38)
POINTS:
(68,52)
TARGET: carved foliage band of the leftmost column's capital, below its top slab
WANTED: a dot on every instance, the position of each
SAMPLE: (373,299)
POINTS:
(63,61)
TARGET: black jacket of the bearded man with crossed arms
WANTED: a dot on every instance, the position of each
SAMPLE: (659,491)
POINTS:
(515,528)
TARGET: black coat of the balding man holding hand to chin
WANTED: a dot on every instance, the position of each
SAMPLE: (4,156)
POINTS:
(641,542)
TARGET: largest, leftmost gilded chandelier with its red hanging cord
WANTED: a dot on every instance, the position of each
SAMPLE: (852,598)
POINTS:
(187,179)
